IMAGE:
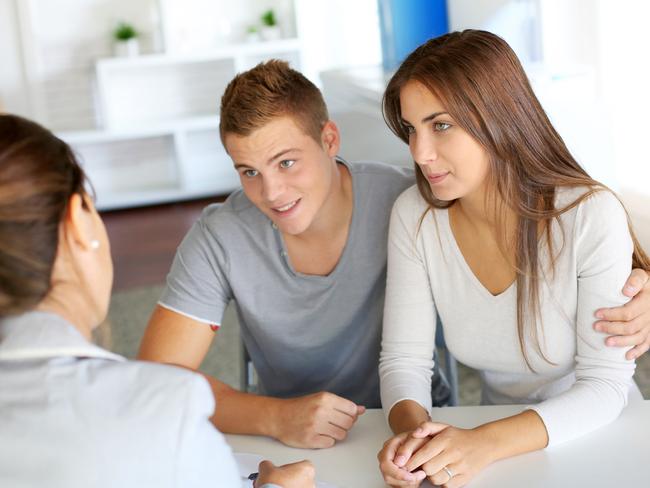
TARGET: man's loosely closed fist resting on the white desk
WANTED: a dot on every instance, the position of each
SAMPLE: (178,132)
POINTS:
(314,421)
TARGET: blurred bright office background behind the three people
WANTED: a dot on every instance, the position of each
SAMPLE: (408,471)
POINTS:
(134,86)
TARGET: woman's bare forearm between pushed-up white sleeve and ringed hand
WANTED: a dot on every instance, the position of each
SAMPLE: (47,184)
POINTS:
(521,433)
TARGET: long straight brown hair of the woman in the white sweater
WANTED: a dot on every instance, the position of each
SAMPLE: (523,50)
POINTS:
(482,85)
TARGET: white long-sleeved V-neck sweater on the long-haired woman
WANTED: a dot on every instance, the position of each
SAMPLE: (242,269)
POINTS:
(588,384)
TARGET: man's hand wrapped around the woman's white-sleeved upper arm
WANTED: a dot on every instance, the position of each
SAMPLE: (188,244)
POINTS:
(629,325)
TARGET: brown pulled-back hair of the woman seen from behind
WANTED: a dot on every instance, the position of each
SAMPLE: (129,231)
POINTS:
(38,175)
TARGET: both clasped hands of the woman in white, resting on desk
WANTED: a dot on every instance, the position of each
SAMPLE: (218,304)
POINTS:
(408,458)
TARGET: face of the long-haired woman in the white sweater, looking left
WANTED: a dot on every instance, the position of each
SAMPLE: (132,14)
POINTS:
(453,162)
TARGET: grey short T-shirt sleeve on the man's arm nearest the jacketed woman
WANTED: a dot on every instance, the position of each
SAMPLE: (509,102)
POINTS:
(197,284)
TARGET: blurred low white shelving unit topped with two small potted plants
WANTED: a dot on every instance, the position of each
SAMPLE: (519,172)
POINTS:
(159,135)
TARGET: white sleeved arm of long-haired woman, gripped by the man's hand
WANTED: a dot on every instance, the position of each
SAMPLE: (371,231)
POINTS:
(603,250)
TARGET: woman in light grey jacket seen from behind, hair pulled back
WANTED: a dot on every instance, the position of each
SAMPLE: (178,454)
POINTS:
(73,414)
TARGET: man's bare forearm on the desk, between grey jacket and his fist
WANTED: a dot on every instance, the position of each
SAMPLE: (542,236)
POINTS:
(244,413)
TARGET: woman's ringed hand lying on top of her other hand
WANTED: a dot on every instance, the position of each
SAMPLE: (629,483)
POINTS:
(447,455)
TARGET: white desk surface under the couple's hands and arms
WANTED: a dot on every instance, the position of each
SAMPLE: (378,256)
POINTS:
(614,456)
